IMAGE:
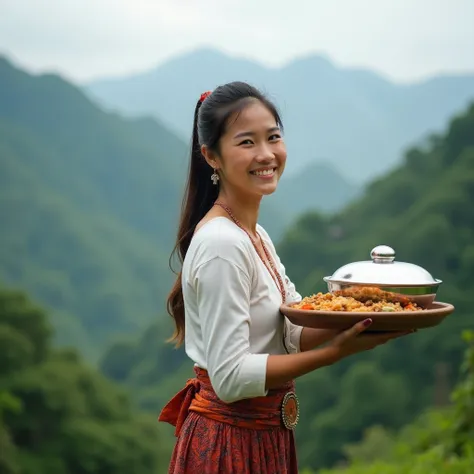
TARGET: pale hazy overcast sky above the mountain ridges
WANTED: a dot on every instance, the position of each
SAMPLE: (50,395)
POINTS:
(83,39)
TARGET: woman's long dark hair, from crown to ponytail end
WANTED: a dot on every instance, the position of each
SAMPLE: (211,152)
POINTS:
(210,121)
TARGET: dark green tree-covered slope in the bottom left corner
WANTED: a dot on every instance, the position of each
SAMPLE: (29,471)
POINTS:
(59,416)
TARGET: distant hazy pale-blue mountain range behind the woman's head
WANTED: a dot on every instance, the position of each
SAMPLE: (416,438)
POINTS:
(353,119)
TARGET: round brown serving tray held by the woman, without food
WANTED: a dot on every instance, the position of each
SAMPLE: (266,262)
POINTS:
(390,321)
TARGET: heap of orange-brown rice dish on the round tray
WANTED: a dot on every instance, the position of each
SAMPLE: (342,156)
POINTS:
(359,300)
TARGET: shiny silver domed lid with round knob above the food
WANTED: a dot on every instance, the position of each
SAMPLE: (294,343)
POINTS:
(383,270)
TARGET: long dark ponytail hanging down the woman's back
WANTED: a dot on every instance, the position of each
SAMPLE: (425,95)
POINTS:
(199,196)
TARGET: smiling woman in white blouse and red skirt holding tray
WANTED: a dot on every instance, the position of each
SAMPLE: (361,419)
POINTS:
(238,414)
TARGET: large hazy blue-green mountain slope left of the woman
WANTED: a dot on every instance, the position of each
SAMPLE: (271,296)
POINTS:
(85,202)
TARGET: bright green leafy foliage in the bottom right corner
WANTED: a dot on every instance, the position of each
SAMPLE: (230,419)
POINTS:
(438,442)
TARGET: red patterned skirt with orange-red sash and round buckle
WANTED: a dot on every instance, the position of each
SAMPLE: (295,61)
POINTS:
(245,437)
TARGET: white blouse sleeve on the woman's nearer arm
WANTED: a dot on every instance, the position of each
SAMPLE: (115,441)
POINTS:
(223,298)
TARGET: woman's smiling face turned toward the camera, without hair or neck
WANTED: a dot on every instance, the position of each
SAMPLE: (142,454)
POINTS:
(252,153)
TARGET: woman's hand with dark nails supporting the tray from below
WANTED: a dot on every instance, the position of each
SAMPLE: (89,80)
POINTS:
(354,340)
